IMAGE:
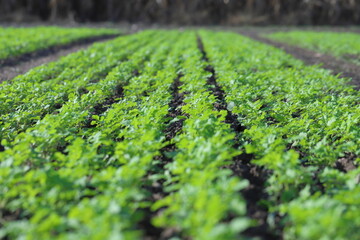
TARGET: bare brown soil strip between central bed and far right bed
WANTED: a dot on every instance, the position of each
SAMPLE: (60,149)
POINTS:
(337,66)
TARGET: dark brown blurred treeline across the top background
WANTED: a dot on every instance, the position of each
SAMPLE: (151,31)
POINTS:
(188,12)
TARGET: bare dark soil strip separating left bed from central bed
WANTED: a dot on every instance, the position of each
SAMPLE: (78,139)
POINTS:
(12,67)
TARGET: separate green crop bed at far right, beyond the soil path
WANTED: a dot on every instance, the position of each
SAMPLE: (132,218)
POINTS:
(344,45)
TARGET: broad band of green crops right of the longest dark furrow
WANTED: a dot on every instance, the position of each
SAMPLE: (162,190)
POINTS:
(299,122)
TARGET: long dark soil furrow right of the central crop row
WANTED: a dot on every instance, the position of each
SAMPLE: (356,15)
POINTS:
(243,167)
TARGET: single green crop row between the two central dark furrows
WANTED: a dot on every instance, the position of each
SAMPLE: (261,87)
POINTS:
(201,195)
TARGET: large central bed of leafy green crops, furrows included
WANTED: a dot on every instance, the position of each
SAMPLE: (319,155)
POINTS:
(167,134)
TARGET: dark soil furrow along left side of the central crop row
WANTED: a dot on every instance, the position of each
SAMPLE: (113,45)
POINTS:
(174,126)
